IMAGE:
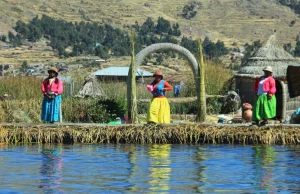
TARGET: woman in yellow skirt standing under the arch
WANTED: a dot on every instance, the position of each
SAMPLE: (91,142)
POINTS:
(159,110)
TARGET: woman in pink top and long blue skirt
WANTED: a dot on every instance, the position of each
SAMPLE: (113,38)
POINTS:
(52,88)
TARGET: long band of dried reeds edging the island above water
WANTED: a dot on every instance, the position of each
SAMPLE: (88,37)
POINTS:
(145,134)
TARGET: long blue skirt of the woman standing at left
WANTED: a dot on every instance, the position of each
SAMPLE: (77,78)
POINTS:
(51,109)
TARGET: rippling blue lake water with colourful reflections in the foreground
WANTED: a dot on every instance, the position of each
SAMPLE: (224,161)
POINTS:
(108,168)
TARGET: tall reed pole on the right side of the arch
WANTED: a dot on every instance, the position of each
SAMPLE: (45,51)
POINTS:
(201,115)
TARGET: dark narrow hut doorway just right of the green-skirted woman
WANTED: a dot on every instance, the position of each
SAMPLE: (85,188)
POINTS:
(280,100)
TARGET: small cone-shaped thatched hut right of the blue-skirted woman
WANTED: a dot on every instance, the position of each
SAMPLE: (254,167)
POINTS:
(90,88)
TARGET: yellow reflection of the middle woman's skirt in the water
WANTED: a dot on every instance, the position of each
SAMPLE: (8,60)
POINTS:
(160,167)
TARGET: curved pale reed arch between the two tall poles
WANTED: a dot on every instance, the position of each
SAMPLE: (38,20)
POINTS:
(193,63)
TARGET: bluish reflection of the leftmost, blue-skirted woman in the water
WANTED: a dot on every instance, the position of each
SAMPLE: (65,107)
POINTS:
(51,169)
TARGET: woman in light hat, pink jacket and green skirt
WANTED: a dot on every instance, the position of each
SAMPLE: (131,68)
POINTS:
(265,89)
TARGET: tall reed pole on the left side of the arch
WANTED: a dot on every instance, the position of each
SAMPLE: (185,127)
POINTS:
(131,89)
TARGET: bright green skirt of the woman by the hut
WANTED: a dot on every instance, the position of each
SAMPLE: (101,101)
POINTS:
(264,108)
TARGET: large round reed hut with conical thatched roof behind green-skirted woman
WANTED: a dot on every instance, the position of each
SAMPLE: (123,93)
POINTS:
(270,54)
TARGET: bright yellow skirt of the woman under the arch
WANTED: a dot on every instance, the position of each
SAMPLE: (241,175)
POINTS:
(159,111)
